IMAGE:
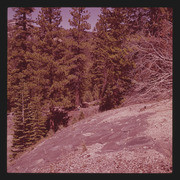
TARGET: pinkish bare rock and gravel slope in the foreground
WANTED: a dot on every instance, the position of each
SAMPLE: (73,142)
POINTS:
(131,139)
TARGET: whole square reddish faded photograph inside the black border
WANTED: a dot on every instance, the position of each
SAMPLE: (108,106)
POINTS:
(89,89)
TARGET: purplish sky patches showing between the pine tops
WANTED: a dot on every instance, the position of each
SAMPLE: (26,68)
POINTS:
(94,12)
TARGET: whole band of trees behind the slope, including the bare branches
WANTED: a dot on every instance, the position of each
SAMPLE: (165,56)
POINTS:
(52,70)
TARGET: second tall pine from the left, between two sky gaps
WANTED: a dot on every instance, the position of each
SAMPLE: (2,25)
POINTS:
(43,66)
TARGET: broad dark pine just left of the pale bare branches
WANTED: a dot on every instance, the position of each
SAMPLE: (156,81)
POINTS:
(110,69)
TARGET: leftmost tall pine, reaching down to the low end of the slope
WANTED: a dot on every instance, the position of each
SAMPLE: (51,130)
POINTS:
(20,46)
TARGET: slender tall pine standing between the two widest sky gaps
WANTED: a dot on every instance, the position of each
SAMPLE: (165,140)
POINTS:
(76,57)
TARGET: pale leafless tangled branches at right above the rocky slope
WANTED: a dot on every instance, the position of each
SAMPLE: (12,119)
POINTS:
(152,76)
